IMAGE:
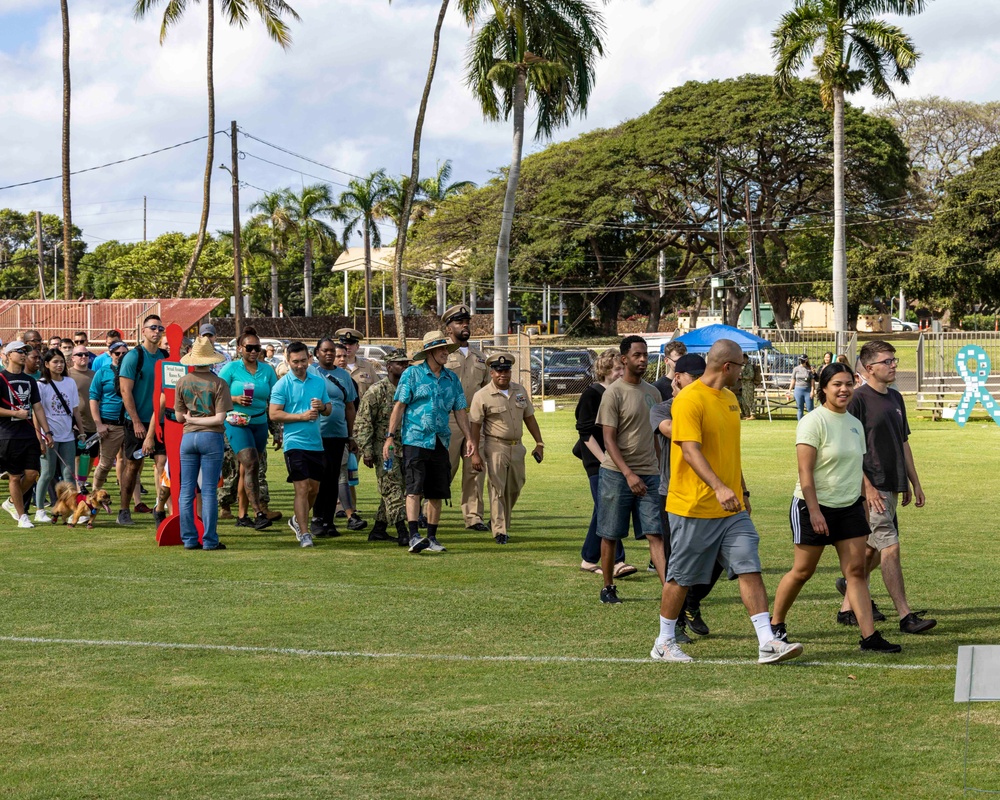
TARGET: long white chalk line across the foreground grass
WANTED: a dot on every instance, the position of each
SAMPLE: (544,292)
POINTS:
(295,651)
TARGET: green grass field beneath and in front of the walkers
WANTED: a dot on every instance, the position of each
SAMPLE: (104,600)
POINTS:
(485,671)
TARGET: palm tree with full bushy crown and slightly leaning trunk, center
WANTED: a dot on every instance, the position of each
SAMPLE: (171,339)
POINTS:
(538,50)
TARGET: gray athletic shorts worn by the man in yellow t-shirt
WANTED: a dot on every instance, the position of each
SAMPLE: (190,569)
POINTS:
(696,544)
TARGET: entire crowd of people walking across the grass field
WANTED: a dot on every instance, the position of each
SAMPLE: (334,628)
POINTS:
(663,459)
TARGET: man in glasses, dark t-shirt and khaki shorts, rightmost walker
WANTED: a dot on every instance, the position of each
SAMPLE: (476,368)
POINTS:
(889,472)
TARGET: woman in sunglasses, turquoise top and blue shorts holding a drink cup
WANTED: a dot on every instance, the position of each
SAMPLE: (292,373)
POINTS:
(250,379)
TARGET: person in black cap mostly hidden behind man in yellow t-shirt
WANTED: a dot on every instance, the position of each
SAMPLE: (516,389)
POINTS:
(688,369)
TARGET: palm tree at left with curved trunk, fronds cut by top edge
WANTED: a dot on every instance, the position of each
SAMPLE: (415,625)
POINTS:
(236,13)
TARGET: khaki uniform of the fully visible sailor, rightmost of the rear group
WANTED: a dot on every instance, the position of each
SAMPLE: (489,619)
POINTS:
(502,419)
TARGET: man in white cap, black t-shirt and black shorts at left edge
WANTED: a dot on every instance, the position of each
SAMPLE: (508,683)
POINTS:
(20,443)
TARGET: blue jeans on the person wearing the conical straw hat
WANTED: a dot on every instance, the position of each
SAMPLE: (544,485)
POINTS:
(201,451)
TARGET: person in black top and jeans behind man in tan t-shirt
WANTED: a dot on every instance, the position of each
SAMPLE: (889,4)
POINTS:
(590,449)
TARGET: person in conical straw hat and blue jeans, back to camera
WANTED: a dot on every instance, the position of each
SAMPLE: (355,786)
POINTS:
(201,402)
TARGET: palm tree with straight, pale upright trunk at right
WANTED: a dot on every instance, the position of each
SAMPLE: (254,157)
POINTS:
(853,49)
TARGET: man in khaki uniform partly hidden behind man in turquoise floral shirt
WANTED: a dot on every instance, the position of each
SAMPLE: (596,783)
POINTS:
(469,363)
